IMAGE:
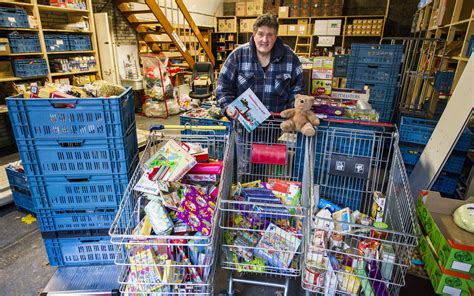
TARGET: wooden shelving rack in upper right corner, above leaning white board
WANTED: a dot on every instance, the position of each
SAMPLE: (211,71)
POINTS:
(452,21)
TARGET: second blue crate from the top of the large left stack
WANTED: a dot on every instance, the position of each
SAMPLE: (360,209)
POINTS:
(74,158)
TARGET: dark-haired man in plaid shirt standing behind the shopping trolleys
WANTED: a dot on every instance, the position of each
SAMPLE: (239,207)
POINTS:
(275,75)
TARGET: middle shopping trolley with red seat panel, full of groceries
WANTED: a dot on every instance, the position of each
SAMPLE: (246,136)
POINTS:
(265,237)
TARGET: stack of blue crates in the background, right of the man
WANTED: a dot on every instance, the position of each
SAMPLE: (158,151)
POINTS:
(376,66)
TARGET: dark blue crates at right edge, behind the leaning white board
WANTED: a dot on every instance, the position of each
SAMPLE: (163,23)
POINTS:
(415,134)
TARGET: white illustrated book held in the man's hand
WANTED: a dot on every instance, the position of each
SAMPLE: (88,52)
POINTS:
(248,109)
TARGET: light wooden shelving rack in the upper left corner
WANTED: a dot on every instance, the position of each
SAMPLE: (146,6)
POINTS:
(34,8)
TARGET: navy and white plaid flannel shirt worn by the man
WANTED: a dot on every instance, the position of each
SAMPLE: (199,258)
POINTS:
(276,87)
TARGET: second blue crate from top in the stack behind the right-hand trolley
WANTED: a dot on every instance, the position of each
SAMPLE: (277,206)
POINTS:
(373,74)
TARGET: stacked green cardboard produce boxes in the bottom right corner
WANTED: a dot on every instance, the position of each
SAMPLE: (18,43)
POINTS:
(446,249)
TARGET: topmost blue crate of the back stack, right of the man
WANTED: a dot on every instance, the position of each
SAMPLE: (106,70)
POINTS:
(376,54)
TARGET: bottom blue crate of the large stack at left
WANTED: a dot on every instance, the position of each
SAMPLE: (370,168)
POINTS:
(80,251)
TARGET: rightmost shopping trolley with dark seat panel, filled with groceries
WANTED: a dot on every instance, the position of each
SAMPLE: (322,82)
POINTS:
(362,229)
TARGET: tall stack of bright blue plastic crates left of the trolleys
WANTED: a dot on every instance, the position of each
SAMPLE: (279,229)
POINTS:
(78,156)
